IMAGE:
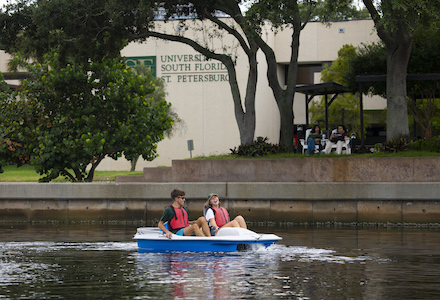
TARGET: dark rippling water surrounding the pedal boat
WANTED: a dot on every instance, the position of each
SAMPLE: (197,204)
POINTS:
(102,262)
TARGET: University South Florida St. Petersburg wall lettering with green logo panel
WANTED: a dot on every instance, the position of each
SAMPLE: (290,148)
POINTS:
(183,68)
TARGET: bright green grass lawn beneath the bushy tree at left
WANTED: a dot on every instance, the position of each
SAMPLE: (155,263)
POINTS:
(27,173)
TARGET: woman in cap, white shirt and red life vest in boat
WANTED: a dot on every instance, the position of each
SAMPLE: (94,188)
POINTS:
(217,216)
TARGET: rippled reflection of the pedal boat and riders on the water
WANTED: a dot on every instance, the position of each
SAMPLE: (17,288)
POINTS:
(206,275)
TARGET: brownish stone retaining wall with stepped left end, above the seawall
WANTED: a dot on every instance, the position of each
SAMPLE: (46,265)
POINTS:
(311,169)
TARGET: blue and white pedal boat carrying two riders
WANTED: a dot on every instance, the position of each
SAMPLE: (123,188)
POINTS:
(229,239)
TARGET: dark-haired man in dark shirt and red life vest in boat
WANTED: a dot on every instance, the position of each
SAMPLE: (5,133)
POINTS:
(177,217)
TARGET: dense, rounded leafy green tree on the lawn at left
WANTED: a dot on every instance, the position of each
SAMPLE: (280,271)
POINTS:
(67,118)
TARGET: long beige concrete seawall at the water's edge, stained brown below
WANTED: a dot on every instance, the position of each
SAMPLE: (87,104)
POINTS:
(275,203)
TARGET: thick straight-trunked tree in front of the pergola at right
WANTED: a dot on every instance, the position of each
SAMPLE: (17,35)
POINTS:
(395,22)
